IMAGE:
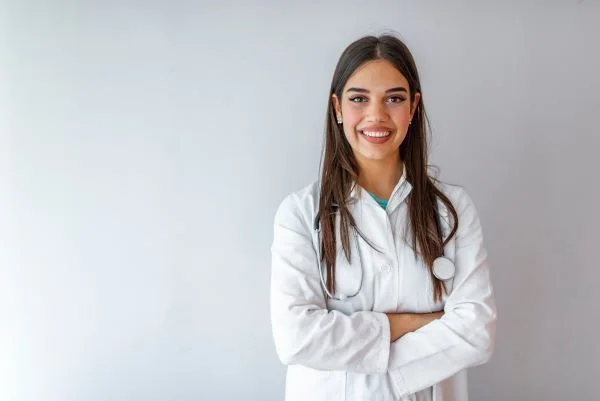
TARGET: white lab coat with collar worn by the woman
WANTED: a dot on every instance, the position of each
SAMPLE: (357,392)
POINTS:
(340,350)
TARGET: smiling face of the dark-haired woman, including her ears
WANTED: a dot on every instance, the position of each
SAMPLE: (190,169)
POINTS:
(375,109)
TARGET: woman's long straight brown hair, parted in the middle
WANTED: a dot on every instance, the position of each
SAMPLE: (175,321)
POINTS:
(339,168)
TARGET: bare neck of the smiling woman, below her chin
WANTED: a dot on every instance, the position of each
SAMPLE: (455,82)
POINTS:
(380,176)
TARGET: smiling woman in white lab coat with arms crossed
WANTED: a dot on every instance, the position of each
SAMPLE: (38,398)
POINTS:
(380,288)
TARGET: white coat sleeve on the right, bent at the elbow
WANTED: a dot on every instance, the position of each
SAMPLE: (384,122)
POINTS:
(464,336)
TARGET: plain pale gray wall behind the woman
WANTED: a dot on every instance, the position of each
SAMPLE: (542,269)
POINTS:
(144,147)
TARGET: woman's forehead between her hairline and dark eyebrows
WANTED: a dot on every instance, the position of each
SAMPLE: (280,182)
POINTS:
(376,75)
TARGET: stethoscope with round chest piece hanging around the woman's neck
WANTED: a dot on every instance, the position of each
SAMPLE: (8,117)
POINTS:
(443,268)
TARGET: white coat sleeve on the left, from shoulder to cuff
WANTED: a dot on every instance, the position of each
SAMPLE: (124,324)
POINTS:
(305,332)
